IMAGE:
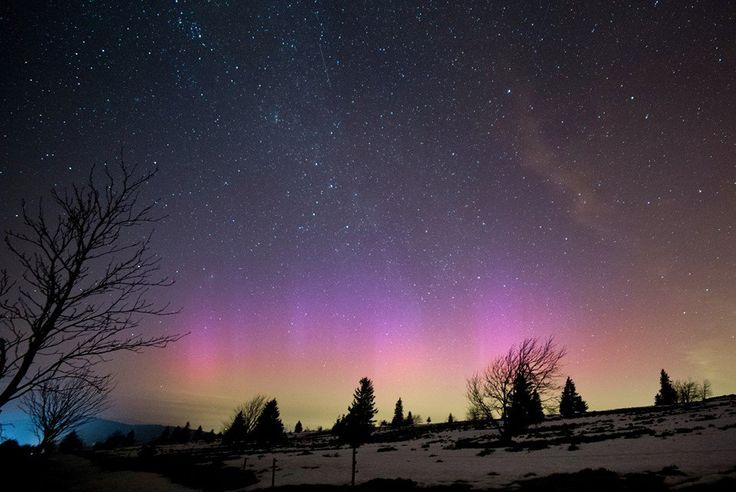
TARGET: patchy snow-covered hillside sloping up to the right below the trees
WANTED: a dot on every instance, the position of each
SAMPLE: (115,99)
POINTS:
(700,441)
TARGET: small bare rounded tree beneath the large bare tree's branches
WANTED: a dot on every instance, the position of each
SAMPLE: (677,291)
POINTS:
(59,406)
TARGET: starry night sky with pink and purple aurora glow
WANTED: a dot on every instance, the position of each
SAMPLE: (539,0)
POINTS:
(398,190)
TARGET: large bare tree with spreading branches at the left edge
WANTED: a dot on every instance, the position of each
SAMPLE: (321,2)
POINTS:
(85,274)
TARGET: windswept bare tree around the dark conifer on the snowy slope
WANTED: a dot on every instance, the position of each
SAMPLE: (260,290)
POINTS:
(490,392)
